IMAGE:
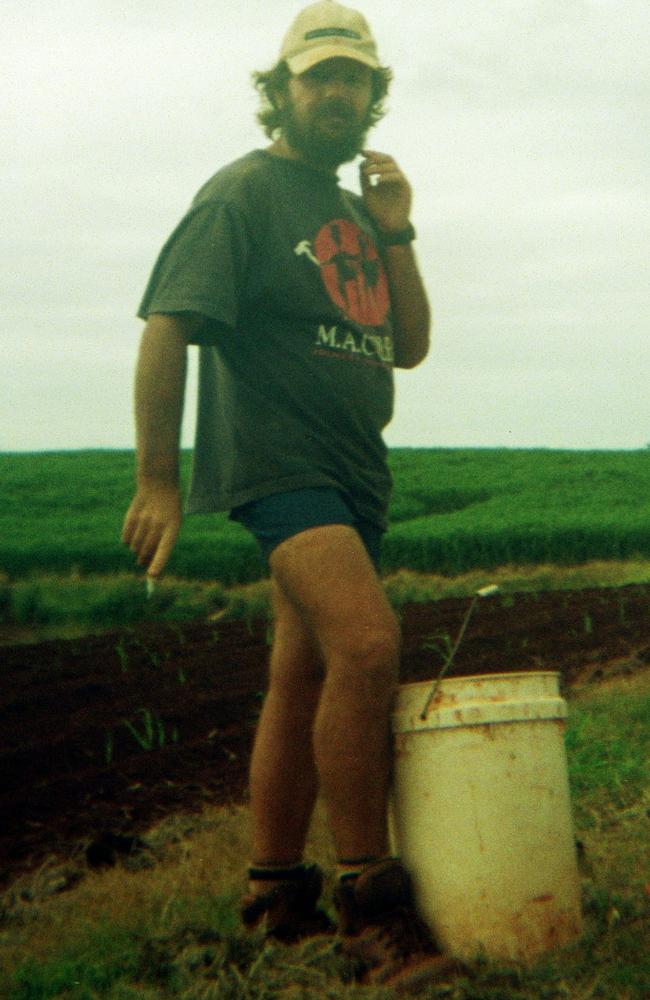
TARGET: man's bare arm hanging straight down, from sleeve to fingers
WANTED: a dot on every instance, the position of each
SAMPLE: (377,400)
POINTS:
(153,520)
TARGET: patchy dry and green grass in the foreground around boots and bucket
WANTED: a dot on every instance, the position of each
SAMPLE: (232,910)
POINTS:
(171,929)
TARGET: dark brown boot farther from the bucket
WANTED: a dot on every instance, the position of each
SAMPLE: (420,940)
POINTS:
(288,910)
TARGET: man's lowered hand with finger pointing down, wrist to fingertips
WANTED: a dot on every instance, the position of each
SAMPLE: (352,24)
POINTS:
(152,524)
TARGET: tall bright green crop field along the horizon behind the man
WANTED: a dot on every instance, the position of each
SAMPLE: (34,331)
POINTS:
(453,510)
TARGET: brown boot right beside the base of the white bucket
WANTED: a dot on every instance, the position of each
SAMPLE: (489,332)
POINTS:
(384,934)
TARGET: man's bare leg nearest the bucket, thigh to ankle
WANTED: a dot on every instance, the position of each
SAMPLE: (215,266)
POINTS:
(327,576)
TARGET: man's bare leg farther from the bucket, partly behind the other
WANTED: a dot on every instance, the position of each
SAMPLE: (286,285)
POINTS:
(283,781)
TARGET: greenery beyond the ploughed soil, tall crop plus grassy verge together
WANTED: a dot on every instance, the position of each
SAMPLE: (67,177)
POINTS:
(459,518)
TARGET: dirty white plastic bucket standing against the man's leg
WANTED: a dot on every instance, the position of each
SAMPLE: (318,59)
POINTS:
(481,813)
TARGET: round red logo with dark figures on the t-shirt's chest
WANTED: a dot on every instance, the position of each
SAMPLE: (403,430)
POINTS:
(353,272)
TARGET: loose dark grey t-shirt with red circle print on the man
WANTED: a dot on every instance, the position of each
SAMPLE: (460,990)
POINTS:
(295,373)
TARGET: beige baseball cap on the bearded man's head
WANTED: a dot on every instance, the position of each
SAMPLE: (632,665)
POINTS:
(327,30)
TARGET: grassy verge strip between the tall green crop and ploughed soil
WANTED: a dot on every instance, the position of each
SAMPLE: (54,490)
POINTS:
(52,605)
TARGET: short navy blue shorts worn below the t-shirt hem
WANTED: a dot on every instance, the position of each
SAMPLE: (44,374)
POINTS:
(275,518)
